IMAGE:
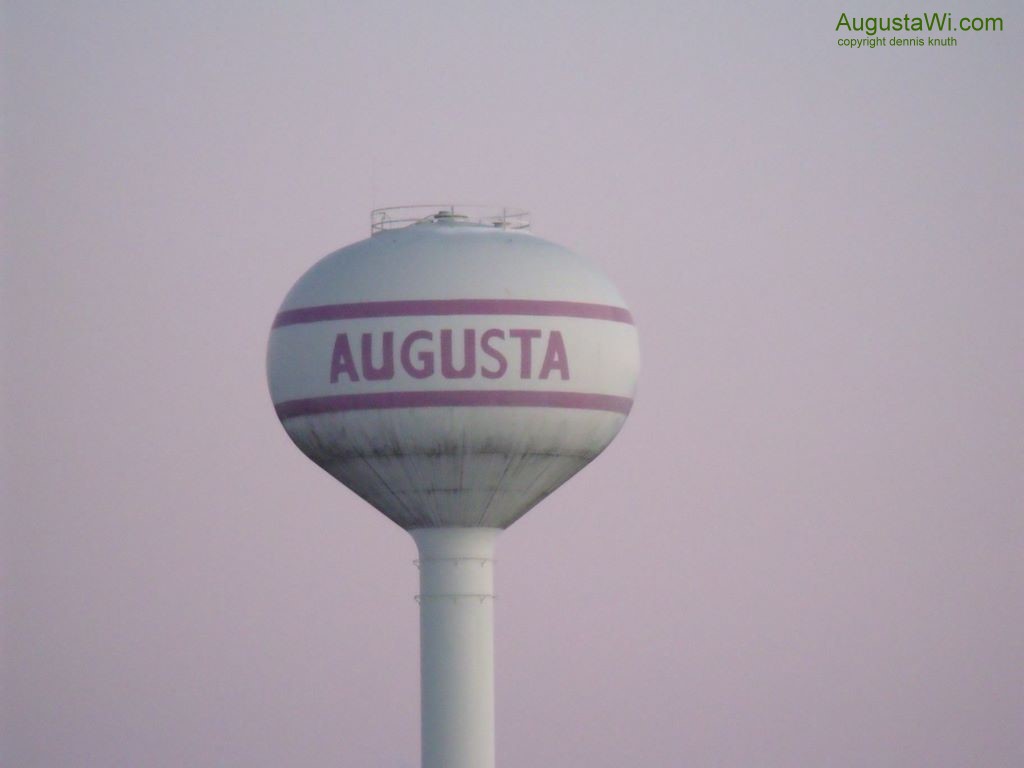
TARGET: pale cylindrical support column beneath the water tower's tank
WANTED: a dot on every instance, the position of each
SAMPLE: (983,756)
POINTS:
(457,647)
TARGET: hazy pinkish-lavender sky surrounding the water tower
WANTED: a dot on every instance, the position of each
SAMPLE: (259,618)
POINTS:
(805,549)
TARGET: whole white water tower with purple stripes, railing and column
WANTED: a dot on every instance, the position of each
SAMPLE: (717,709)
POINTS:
(453,370)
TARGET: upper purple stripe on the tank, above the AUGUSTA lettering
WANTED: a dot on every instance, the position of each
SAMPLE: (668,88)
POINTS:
(442,308)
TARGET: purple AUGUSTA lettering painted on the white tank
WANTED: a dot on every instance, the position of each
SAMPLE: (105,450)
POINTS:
(421,355)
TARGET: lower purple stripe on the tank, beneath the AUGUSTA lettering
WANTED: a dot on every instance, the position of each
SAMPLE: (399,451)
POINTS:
(454,398)
